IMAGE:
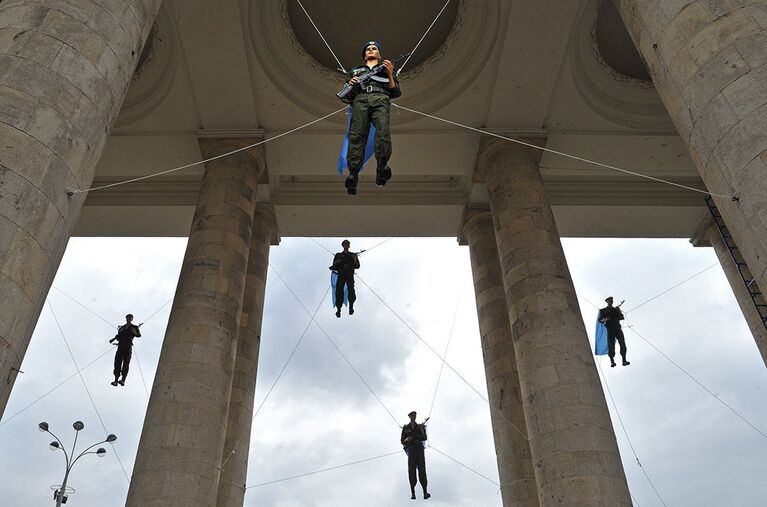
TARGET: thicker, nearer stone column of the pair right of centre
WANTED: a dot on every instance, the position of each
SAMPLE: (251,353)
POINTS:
(572,442)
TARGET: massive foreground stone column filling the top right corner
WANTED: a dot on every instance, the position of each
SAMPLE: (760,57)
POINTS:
(709,64)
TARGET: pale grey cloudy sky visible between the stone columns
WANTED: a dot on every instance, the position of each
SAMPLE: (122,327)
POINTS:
(696,451)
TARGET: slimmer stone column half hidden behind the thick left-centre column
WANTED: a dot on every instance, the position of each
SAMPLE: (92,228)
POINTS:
(231,488)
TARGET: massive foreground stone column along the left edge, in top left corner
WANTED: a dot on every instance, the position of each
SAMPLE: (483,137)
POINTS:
(64,69)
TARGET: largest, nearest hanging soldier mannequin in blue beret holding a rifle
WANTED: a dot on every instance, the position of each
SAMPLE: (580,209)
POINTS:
(371,104)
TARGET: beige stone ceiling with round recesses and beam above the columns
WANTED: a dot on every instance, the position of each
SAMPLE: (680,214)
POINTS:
(565,71)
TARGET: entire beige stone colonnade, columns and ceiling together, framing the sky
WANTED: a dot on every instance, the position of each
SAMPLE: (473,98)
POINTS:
(97,92)
